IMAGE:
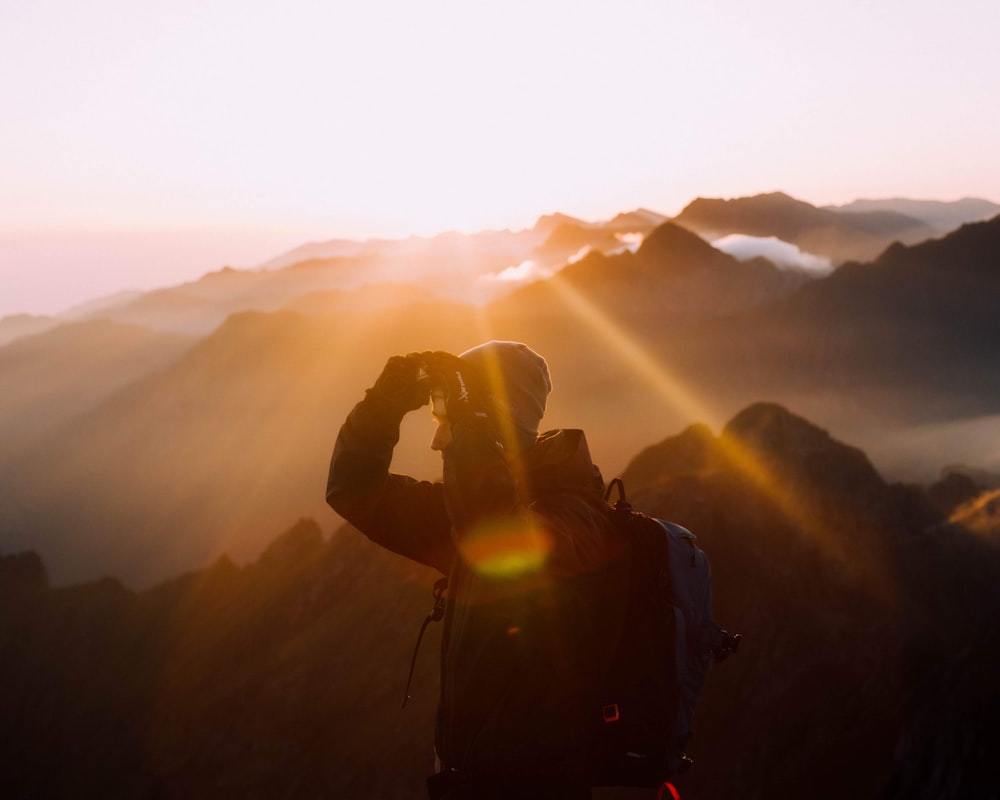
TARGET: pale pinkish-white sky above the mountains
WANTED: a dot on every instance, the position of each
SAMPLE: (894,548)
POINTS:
(144,144)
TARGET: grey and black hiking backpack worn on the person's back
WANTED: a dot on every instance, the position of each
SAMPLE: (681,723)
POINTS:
(666,644)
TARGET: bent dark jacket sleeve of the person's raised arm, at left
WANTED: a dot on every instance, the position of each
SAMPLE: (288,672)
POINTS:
(398,512)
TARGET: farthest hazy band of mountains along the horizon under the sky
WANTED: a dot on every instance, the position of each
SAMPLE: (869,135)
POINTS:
(482,267)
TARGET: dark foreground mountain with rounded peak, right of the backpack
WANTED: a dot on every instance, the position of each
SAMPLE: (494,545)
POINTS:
(860,627)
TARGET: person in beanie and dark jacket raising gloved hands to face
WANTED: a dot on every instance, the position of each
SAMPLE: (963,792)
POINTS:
(519,527)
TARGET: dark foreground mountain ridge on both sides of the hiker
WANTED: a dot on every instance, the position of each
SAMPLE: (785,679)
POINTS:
(869,624)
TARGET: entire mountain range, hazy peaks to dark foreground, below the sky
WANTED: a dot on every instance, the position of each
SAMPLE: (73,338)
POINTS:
(159,641)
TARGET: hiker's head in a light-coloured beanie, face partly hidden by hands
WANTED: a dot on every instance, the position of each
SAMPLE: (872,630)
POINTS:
(517,384)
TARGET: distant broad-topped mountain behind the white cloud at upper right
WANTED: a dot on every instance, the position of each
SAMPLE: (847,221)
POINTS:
(841,237)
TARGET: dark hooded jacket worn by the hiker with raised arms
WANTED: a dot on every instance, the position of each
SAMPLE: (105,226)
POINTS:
(524,546)
